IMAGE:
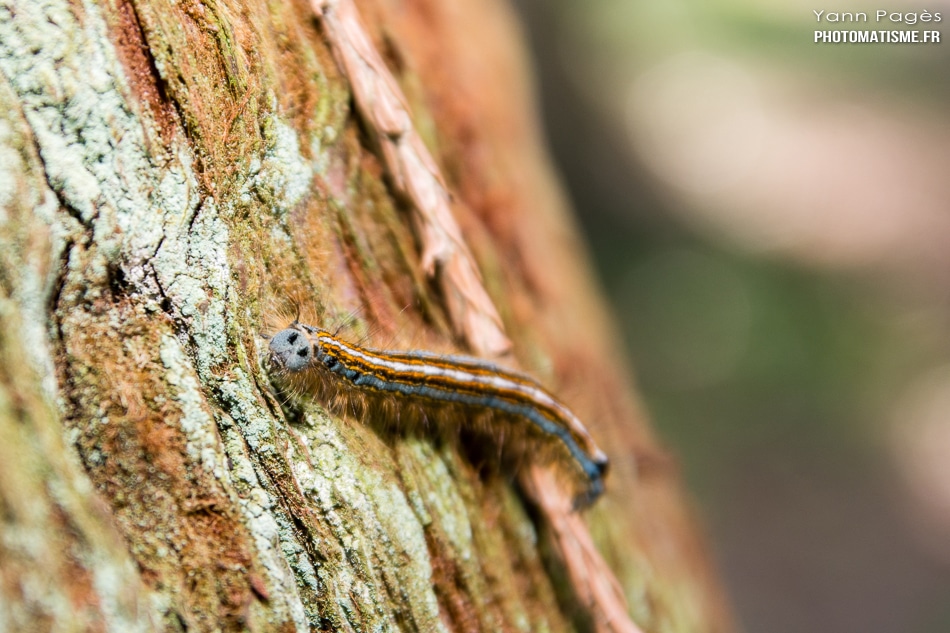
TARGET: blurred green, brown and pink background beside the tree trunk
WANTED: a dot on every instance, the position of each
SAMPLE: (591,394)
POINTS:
(770,219)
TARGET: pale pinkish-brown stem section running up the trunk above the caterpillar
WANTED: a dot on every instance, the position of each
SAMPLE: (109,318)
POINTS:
(415,175)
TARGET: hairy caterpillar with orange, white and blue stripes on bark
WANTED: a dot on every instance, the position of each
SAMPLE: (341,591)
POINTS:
(422,386)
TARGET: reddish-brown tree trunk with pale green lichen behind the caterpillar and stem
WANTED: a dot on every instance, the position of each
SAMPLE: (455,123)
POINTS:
(175,173)
